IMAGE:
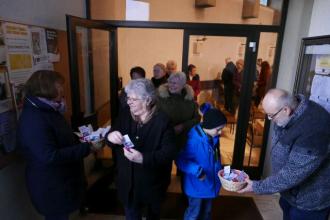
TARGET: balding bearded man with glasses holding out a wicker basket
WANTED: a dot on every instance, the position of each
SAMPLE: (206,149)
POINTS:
(300,156)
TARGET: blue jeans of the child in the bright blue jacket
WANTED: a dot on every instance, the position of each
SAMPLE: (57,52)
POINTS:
(198,208)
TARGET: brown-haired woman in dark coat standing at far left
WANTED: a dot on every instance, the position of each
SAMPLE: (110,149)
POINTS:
(54,172)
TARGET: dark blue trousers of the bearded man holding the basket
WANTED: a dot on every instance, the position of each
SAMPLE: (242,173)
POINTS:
(293,213)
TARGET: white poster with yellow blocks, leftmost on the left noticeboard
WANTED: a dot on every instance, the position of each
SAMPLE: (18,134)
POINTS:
(17,40)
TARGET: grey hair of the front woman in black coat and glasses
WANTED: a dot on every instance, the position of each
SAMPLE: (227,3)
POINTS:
(142,88)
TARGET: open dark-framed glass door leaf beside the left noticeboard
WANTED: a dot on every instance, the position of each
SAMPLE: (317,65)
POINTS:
(93,71)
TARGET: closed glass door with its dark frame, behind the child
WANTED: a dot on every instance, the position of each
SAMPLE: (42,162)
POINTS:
(226,64)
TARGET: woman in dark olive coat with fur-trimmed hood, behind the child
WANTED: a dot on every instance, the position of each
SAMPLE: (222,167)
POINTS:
(176,99)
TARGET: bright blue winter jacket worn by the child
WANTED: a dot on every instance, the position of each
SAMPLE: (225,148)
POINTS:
(200,156)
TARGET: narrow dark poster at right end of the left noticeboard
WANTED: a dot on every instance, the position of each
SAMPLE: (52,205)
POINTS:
(52,45)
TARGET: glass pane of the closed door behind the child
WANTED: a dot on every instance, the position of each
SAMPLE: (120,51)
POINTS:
(220,66)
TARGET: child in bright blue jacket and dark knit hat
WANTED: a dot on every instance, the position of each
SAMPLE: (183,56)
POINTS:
(200,162)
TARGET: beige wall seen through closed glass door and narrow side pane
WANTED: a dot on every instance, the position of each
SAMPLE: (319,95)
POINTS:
(214,50)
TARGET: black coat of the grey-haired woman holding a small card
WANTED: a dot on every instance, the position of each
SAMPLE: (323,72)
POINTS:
(146,182)
